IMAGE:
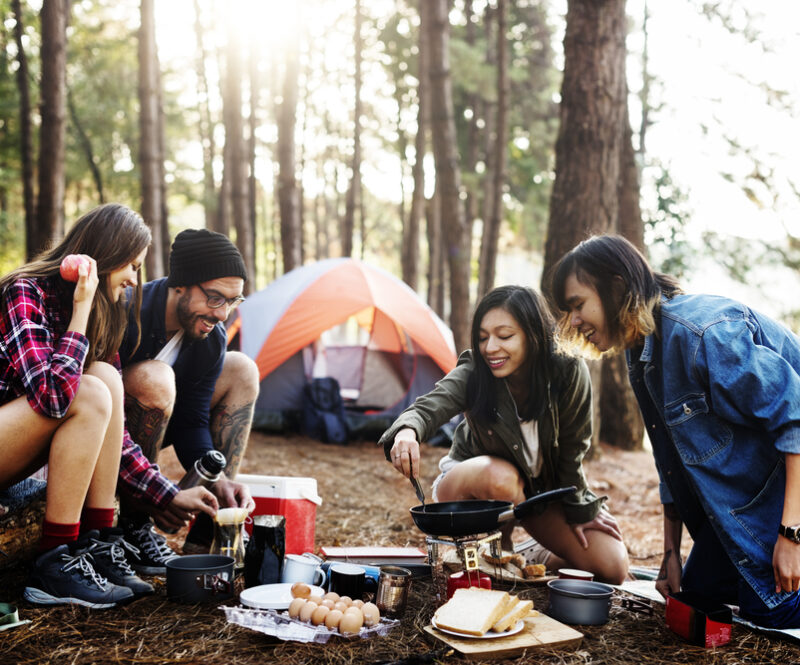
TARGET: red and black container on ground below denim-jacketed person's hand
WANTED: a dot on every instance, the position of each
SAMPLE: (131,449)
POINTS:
(698,620)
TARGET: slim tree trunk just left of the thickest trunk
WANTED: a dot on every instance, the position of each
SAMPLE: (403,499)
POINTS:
(491,228)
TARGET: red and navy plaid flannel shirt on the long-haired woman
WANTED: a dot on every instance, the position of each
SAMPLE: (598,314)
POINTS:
(43,361)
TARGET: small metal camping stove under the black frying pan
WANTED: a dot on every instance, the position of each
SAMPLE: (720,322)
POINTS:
(447,555)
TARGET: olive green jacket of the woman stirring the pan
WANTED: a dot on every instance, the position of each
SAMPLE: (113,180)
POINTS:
(564,432)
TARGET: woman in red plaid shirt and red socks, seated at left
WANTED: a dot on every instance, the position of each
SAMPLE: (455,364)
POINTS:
(61,404)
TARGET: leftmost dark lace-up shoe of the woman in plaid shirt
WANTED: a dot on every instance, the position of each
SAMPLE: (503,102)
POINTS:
(60,577)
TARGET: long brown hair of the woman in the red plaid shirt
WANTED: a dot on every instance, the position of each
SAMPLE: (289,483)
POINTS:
(113,235)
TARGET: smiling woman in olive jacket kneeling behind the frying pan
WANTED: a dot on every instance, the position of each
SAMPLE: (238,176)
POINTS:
(527,427)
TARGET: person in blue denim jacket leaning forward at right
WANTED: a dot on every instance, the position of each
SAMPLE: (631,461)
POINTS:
(718,386)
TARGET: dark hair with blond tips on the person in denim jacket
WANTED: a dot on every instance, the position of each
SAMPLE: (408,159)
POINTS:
(630,290)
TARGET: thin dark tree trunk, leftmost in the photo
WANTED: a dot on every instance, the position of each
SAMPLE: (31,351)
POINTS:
(26,137)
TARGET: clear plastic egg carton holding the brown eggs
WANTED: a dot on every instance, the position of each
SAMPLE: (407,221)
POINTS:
(284,627)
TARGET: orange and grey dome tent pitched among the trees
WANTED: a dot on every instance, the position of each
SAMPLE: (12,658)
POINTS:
(344,319)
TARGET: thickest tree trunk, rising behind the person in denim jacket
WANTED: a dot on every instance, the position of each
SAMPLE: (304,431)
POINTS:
(585,198)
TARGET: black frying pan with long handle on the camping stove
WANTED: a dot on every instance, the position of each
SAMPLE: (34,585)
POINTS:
(466,518)
